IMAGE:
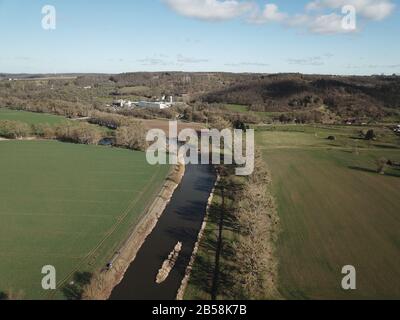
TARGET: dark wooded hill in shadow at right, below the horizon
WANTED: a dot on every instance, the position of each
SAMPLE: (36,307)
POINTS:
(353,96)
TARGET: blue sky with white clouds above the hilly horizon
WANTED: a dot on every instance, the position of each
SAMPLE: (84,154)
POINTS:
(200,35)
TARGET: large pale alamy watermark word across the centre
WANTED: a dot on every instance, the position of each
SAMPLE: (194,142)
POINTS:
(204,147)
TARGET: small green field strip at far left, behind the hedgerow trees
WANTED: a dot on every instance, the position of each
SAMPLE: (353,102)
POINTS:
(30,117)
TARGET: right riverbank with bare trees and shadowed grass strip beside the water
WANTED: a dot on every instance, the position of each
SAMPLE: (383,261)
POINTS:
(236,256)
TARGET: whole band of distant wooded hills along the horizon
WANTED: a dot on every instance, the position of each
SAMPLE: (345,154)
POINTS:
(358,96)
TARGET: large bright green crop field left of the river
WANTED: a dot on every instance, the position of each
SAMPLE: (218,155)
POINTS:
(69,206)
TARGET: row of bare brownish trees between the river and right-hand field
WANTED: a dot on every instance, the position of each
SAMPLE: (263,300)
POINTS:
(254,247)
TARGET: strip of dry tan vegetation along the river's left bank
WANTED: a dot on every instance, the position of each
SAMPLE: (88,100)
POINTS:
(105,281)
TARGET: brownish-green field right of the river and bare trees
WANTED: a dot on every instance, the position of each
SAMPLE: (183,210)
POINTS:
(335,210)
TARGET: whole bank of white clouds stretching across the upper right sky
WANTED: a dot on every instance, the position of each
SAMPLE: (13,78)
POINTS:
(320,16)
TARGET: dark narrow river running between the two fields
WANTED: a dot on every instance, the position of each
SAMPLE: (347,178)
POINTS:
(180,222)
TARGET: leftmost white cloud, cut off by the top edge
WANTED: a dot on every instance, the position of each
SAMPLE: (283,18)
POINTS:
(210,9)
